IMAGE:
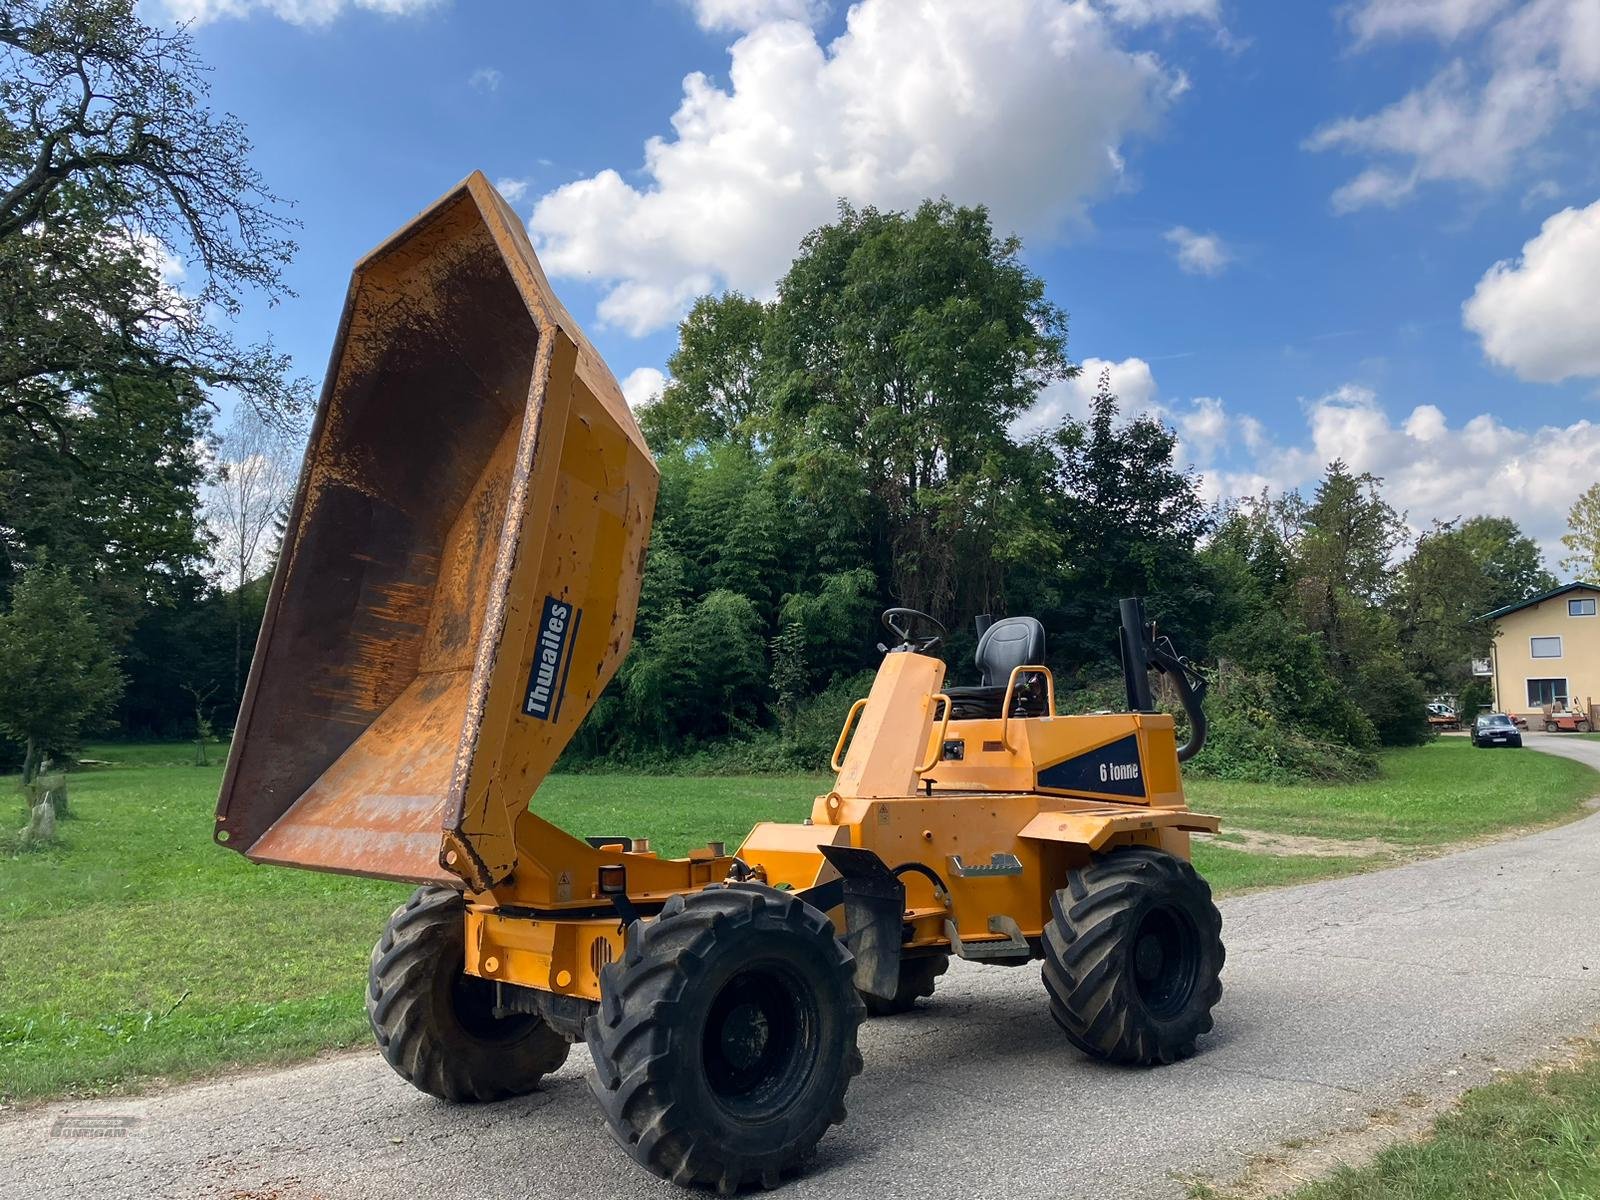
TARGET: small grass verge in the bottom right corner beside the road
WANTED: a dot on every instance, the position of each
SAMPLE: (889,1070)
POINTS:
(1532,1135)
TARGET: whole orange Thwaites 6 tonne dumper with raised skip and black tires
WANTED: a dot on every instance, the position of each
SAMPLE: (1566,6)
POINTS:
(457,588)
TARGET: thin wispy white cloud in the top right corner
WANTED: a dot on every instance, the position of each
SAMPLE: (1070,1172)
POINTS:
(1484,114)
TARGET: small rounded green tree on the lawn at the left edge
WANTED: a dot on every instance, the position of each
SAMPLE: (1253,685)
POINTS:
(57,673)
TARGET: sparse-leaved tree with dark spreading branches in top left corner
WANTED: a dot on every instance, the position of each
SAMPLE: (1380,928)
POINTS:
(113,169)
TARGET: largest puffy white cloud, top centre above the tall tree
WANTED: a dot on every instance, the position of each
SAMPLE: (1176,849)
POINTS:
(905,105)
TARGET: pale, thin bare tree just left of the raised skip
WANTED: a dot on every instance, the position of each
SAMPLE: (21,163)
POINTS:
(254,484)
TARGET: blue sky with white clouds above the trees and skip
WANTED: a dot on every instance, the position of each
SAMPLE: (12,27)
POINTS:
(1276,223)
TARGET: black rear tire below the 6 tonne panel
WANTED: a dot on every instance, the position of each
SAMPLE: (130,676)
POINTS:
(1134,956)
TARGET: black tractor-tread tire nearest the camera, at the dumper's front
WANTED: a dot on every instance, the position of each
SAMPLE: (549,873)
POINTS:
(727,1038)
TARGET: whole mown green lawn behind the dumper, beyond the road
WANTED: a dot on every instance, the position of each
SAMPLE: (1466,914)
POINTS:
(138,948)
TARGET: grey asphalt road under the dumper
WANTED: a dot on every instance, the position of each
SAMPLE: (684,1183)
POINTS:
(1342,999)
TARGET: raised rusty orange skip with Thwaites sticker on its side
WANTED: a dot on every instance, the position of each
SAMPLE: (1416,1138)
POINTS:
(462,569)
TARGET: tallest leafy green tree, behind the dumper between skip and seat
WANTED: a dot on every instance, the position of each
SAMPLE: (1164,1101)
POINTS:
(898,354)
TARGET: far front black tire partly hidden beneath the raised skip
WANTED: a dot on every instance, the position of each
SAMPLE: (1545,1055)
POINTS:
(434,1023)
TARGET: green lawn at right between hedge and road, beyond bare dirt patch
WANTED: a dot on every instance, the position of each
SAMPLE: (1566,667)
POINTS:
(1425,798)
